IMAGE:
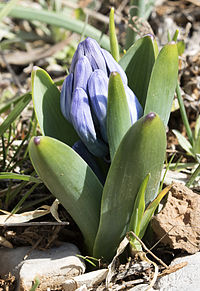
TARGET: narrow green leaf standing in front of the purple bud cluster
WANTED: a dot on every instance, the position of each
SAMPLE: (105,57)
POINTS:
(118,116)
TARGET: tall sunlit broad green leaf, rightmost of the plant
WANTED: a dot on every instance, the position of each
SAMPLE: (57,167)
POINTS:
(163,82)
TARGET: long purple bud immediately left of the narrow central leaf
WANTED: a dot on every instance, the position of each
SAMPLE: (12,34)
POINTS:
(98,92)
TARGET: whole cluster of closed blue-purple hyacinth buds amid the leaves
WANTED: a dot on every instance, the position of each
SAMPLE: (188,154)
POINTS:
(85,91)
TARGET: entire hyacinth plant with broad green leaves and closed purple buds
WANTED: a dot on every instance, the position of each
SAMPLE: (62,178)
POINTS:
(102,149)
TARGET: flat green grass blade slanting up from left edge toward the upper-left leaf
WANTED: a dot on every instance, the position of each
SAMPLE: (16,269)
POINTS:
(19,107)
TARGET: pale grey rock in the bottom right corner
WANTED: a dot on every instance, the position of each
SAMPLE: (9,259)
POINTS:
(185,279)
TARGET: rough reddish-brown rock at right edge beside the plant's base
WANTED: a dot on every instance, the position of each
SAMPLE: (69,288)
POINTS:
(177,225)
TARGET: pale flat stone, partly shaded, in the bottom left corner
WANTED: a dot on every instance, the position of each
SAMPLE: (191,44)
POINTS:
(52,267)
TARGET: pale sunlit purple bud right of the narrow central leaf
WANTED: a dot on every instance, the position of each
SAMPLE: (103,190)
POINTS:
(135,108)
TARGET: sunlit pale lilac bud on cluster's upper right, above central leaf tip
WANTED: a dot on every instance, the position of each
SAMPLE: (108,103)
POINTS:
(113,66)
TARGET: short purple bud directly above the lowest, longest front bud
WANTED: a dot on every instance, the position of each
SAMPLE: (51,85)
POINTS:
(82,73)
